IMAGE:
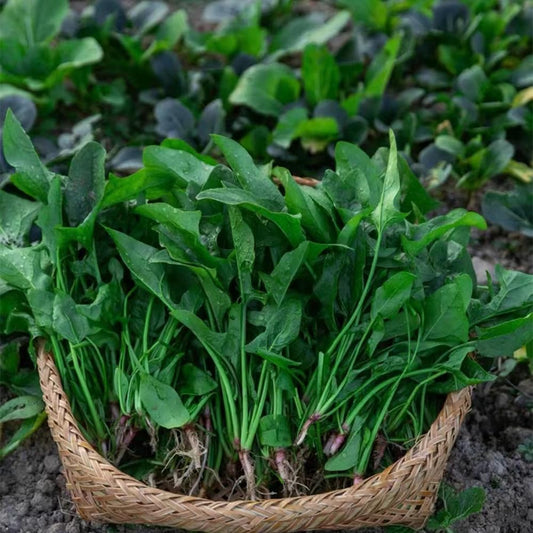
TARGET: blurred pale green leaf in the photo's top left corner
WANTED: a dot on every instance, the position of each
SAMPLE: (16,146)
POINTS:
(30,22)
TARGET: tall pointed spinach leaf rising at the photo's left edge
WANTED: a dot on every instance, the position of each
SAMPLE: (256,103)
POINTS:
(32,176)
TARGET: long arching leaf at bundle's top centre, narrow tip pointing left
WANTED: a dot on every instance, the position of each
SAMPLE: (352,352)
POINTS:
(289,224)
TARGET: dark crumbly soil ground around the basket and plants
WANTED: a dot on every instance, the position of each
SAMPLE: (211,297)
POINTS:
(33,498)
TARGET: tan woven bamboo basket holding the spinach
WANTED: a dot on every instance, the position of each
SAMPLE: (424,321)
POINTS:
(404,493)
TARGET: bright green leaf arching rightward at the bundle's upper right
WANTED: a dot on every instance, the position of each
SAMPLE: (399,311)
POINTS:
(421,235)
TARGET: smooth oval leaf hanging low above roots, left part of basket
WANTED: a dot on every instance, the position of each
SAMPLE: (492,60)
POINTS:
(162,403)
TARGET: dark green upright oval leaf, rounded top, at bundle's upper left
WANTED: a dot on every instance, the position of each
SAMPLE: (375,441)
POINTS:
(86,181)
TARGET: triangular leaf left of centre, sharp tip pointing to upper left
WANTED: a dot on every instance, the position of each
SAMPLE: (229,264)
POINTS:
(137,257)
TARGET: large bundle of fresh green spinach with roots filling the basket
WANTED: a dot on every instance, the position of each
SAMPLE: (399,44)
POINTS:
(218,327)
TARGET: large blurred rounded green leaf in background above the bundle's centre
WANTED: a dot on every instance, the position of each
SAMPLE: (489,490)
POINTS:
(266,88)
